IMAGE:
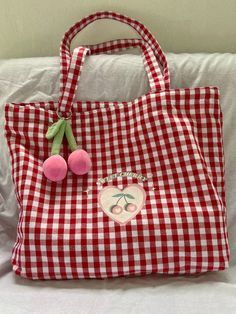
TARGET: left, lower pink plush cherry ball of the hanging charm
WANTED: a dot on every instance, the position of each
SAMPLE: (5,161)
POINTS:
(55,168)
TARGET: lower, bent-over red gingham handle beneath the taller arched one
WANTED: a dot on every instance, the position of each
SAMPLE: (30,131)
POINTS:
(154,74)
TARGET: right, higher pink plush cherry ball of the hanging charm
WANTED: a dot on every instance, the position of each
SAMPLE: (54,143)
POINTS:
(79,162)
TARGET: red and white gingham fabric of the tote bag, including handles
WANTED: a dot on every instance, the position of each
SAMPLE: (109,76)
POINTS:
(172,137)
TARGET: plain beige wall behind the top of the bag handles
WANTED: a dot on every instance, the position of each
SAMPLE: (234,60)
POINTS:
(34,27)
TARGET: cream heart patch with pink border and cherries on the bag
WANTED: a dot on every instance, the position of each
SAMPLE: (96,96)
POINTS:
(122,205)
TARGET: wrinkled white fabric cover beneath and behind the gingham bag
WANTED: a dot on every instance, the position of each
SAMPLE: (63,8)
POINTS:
(120,77)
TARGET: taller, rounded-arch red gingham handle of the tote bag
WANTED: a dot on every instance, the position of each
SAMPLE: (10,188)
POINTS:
(136,25)
